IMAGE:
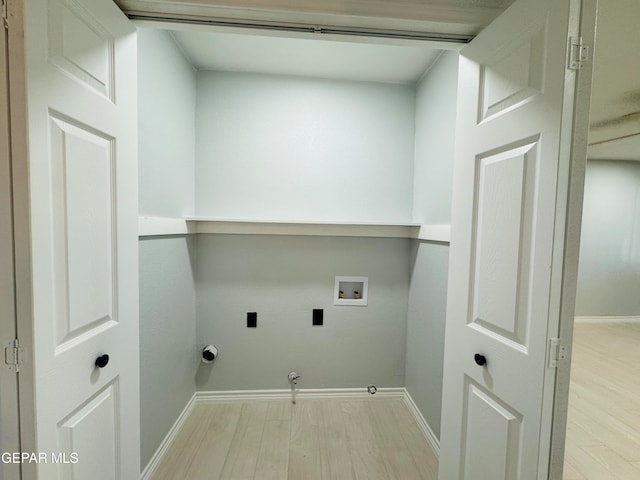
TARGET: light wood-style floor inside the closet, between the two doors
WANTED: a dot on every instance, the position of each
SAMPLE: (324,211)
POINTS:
(339,439)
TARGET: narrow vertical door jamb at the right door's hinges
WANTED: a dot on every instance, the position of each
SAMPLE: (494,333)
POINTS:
(569,216)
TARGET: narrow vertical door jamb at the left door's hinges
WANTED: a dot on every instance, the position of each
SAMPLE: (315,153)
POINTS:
(21,229)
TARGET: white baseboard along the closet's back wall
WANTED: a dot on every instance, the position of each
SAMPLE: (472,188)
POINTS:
(241,395)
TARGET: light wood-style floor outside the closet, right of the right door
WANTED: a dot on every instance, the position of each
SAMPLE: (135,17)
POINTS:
(603,433)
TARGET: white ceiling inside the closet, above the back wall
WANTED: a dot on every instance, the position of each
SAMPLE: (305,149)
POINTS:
(310,57)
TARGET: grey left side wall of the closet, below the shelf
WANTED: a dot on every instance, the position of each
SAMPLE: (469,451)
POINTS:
(168,357)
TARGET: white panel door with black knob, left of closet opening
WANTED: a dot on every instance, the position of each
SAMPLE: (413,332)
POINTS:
(81,85)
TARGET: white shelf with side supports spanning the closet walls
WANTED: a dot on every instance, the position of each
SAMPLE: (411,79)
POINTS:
(159,226)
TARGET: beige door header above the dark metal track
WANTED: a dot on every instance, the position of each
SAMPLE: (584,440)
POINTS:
(464,17)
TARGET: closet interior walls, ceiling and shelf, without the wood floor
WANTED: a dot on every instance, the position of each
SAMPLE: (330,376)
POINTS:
(269,166)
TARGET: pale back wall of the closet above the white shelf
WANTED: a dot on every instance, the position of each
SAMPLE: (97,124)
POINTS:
(299,148)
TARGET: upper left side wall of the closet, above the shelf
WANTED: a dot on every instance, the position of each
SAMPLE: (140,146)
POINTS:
(166,130)
